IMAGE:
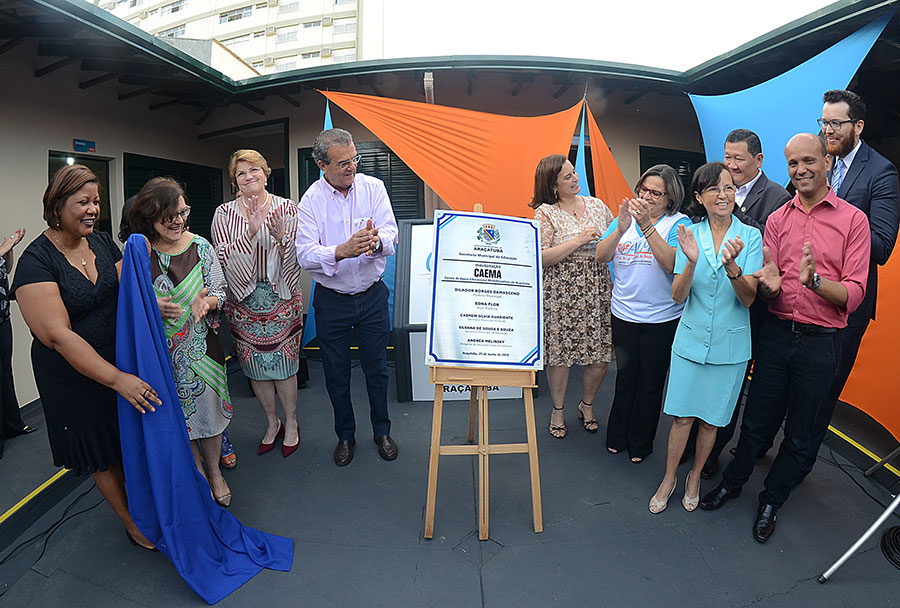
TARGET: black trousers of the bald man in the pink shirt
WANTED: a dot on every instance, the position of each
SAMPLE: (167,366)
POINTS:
(792,378)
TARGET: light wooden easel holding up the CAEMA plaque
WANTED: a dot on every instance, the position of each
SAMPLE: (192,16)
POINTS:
(480,379)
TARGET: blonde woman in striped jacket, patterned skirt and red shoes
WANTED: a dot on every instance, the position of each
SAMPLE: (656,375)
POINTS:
(253,236)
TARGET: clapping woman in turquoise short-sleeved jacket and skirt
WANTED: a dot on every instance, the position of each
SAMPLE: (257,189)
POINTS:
(714,267)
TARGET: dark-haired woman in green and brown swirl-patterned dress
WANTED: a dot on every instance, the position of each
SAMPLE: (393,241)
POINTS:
(189,285)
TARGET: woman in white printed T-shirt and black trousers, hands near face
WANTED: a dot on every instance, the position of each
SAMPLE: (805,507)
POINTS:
(641,244)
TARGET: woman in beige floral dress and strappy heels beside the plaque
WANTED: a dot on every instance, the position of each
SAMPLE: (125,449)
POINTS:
(577,289)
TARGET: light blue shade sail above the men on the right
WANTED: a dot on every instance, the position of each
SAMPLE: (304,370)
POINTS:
(788,104)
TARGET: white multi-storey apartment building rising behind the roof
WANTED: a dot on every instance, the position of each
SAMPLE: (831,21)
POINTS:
(270,35)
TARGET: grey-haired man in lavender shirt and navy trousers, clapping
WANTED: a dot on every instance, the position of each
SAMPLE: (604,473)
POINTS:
(345,231)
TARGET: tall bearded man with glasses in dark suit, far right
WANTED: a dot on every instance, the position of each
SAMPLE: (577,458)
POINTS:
(867,180)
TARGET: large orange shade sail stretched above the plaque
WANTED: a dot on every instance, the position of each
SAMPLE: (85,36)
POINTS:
(466,157)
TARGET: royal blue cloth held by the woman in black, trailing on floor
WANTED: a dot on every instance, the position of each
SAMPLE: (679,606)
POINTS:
(168,498)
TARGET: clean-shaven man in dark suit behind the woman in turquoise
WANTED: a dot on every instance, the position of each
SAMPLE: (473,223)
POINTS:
(755,199)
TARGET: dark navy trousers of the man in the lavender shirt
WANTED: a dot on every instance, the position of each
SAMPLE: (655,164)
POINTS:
(367,313)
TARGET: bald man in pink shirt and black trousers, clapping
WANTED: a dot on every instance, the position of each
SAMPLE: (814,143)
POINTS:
(816,251)
